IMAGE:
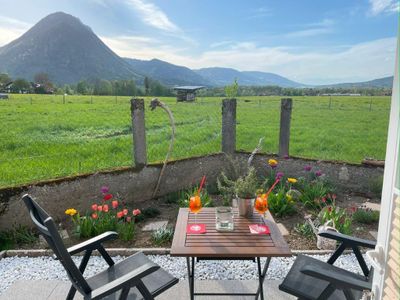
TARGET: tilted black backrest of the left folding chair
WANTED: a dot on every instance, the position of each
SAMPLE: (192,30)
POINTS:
(48,229)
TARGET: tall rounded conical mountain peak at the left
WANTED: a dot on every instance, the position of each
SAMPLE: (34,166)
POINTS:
(62,46)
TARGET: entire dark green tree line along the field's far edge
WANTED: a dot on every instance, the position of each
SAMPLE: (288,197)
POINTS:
(42,84)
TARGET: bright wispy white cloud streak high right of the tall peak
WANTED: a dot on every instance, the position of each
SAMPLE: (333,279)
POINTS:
(153,16)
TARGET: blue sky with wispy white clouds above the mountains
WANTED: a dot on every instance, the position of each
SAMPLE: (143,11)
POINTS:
(313,42)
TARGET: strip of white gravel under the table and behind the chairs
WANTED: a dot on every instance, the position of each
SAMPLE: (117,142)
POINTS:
(46,268)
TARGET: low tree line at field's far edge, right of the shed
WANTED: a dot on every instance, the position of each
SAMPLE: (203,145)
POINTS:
(282,91)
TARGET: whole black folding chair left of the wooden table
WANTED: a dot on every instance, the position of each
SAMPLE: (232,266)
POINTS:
(136,277)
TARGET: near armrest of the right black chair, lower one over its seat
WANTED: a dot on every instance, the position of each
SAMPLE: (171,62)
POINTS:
(339,280)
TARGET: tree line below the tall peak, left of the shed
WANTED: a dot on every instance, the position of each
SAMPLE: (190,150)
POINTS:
(42,84)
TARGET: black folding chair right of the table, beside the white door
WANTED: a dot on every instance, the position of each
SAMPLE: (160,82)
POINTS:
(313,279)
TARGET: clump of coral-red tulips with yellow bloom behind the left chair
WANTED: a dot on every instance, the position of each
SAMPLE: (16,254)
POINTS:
(108,215)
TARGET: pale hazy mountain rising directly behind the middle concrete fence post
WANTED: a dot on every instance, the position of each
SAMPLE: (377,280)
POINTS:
(225,76)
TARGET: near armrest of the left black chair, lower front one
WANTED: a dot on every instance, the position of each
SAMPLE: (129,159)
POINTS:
(128,280)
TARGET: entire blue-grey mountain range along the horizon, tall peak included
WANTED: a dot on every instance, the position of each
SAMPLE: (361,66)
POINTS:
(69,51)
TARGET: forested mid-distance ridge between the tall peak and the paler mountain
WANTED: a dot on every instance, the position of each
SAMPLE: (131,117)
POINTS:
(167,73)
